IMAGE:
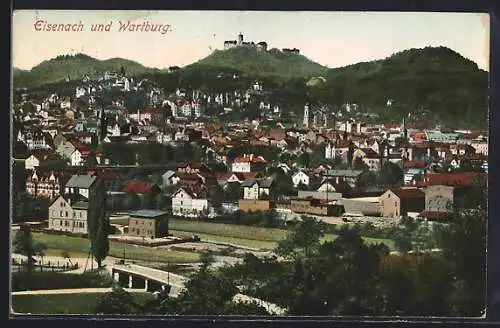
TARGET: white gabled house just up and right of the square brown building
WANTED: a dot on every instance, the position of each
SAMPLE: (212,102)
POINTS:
(188,204)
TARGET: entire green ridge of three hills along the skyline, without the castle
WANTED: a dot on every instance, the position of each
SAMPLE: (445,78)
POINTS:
(437,79)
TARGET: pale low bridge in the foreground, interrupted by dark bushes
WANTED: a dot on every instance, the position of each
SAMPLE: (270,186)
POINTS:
(152,280)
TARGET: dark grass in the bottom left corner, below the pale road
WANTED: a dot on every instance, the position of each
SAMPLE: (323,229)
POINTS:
(82,303)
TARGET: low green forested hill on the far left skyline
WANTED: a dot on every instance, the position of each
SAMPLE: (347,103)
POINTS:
(74,67)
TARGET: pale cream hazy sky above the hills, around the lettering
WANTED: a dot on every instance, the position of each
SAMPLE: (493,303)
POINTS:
(333,39)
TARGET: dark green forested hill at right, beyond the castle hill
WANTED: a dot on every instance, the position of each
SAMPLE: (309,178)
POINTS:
(436,80)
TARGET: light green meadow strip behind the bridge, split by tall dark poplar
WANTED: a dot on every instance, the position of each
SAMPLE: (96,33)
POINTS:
(79,247)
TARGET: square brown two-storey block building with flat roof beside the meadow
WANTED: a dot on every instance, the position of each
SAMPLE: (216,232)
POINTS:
(148,224)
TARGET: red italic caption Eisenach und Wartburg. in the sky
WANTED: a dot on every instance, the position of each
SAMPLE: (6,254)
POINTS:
(120,26)
